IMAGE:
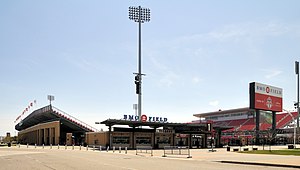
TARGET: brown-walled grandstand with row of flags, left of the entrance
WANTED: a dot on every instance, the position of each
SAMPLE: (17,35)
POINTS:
(49,125)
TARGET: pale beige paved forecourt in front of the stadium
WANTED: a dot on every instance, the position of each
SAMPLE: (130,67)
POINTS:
(21,157)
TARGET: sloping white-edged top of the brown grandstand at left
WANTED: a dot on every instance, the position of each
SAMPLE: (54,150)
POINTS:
(50,113)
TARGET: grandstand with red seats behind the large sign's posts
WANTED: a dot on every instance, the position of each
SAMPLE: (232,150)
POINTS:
(243,126)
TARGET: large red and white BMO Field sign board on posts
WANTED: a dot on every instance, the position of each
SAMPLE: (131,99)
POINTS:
(265,97)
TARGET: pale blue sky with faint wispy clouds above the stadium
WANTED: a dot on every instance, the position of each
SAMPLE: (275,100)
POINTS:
(199,56)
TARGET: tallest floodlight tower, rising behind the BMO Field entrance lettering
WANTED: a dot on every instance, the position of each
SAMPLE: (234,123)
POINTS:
(139,15)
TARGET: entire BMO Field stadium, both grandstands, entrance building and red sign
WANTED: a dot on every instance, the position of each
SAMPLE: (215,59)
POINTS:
(259,123)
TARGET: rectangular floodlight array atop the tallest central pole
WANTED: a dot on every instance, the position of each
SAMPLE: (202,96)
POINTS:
(139,14)
